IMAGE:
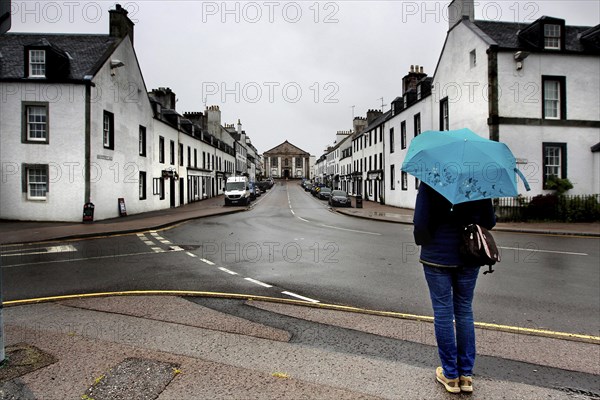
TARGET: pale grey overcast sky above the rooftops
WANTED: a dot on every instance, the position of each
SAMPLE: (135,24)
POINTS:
(289,70)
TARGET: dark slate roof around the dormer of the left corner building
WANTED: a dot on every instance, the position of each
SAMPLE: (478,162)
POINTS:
(86,52)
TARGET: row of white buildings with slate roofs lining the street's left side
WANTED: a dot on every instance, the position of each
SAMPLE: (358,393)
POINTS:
(78,126)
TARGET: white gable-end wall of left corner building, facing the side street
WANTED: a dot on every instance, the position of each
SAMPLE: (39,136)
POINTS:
(125,95)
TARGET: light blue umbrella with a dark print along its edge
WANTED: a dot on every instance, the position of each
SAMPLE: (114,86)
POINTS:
(463,166)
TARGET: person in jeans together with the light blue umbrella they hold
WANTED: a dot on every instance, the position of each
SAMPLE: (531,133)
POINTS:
(460,173)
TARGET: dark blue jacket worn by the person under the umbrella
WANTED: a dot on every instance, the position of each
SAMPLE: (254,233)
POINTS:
(437,225)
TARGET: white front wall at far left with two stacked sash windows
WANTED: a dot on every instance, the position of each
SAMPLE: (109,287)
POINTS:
(64,153)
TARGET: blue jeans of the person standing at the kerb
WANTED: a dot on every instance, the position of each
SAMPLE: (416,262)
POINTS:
(451,291)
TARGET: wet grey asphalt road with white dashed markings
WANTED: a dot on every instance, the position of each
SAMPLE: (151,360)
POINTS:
(292,245)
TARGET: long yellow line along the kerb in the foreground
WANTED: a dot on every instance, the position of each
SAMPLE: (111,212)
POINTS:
(423,318)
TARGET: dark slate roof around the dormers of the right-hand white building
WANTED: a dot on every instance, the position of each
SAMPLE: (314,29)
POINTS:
(505,34)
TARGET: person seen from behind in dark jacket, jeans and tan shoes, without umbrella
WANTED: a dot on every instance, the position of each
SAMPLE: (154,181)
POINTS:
(437,226)
